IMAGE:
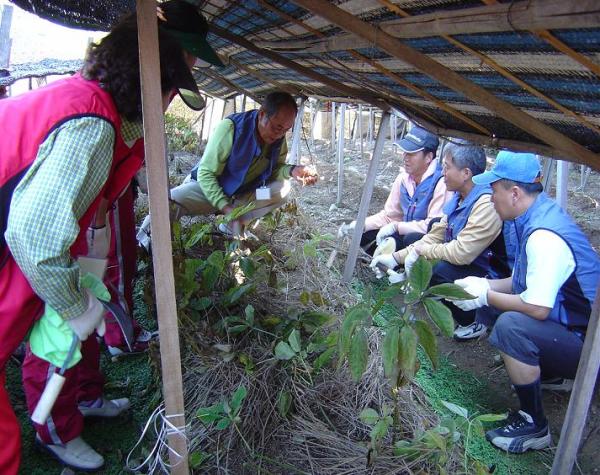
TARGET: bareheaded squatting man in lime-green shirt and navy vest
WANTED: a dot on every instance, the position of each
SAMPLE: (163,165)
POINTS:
(244,161)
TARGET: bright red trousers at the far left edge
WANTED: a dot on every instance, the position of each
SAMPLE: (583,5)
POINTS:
(19,308)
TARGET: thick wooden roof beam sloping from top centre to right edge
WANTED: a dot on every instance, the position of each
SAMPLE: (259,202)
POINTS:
(451,79)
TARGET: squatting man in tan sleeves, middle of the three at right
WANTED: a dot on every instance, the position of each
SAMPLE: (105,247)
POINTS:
(465,237)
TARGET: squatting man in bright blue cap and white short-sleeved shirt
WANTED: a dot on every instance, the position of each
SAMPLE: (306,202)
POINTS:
(545,305)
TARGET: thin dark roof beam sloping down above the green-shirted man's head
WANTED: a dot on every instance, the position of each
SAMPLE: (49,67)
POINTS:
(277,58)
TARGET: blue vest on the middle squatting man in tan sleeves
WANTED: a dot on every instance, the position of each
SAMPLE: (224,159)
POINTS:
(458,214)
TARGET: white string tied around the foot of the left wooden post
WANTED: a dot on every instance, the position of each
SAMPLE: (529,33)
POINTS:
(157,459)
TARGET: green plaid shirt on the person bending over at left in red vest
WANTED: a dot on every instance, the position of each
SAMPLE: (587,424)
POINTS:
(70,170)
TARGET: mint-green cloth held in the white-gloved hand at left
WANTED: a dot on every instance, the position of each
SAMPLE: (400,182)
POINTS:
(51,336)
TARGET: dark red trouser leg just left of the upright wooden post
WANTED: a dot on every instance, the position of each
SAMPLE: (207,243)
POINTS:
(121,264)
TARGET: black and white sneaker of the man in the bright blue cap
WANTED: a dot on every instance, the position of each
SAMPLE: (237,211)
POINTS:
(520,434)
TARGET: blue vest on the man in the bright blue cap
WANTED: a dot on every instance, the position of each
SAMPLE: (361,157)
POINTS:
(573,303)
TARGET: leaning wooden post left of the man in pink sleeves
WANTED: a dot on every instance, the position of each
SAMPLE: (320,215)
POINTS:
(365,199)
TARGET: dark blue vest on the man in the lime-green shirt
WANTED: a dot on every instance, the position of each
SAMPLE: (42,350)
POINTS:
(245,148)
